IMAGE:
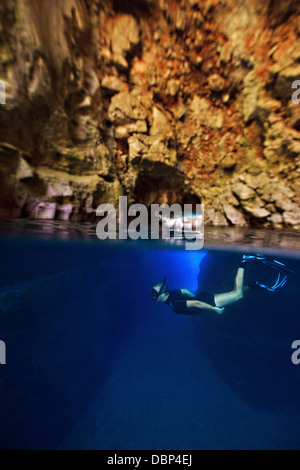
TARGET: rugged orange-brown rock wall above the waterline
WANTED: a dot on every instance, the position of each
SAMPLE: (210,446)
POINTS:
(160,100)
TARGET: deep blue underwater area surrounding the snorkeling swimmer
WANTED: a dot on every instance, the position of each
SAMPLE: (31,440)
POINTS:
(94,363)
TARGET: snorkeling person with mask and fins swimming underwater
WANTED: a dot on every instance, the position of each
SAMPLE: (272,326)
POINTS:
(185,302)
